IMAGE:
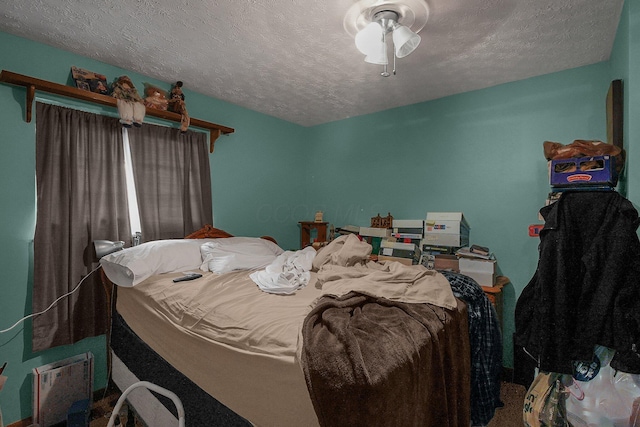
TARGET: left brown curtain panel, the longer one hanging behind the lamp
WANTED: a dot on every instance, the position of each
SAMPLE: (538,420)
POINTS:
(81,197)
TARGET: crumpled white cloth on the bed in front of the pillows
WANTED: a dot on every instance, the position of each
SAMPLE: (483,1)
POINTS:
(289,272)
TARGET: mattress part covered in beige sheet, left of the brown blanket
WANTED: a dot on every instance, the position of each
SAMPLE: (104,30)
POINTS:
(234,341)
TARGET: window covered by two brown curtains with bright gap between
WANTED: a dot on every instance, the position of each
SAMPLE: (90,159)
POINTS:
(83,194)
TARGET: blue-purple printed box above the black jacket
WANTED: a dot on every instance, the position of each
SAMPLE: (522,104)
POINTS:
(583,171)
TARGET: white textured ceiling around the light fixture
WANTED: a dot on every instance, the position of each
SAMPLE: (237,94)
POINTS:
(295,60)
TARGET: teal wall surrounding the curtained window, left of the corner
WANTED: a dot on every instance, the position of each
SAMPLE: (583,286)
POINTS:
(256,190)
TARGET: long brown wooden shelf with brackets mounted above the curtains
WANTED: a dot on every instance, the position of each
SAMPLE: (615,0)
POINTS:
(32,84)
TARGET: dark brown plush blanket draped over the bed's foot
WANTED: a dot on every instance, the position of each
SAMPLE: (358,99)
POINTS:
(369,361)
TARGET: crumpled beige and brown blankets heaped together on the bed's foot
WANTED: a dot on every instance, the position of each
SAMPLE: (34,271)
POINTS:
(375,352)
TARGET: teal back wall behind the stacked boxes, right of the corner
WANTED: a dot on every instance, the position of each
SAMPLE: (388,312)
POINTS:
(479,153)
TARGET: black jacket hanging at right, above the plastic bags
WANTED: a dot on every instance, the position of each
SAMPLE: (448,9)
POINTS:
(586,289)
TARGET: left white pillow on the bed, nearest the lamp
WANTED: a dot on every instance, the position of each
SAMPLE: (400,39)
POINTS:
(133,265)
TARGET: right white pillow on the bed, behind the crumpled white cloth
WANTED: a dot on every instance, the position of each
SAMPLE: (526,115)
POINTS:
(238,253)
